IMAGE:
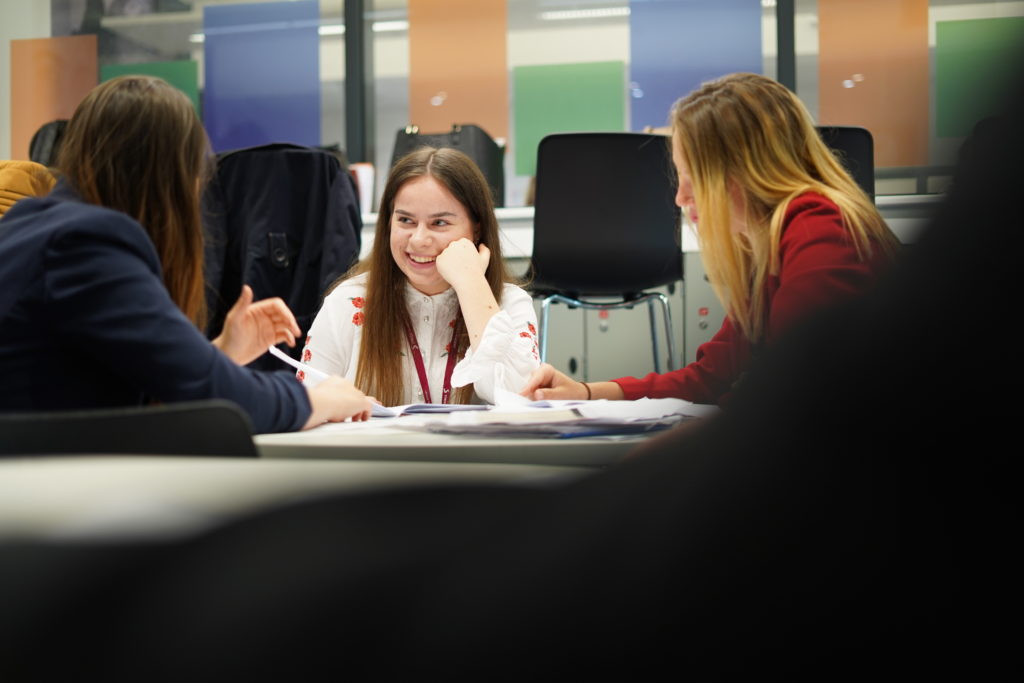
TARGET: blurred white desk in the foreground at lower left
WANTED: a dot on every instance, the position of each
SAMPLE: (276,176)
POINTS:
(130,497)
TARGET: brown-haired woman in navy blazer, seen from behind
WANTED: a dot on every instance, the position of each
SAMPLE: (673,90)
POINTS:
(102,293)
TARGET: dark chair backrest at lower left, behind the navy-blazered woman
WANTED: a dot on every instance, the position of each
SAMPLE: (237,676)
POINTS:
(195,429)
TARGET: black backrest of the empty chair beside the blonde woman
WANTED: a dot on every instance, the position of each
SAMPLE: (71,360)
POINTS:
(606,221)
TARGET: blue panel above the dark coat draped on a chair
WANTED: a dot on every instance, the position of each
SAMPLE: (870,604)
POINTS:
(263,74)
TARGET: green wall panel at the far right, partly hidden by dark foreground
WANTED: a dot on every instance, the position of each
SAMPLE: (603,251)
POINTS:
(973,59)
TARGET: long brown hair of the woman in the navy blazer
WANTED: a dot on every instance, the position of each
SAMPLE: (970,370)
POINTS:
(136,145)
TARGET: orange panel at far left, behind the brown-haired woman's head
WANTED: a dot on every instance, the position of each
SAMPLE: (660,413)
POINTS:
(49,78)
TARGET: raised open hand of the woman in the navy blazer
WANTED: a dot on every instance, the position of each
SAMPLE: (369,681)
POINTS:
(251,328)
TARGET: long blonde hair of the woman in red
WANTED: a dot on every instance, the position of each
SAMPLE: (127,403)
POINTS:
(747,134)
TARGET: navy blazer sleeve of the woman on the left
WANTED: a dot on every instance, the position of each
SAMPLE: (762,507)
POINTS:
(106,297)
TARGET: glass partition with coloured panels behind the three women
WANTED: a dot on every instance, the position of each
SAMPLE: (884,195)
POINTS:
(908,70)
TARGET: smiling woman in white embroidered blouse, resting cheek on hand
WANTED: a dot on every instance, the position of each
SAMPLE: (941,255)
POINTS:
(432,316)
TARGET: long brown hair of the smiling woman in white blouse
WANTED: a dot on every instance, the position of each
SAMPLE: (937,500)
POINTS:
(379,373)
